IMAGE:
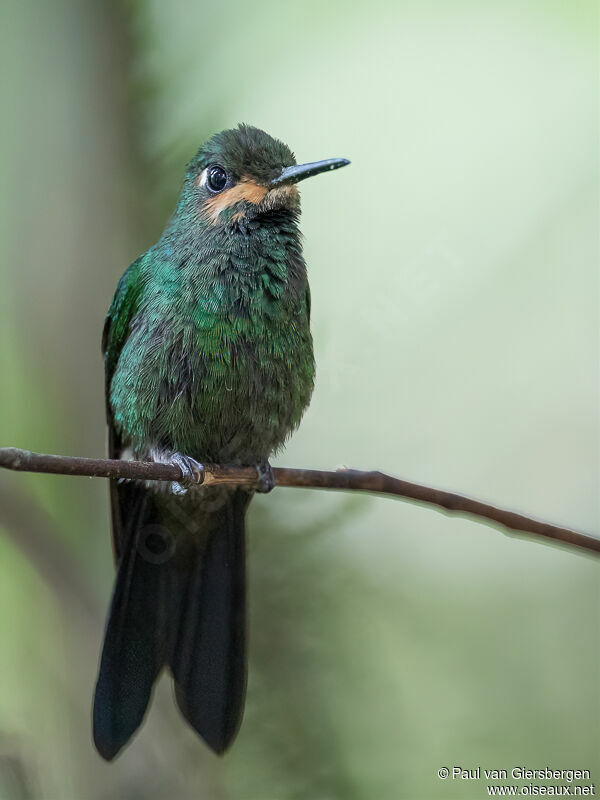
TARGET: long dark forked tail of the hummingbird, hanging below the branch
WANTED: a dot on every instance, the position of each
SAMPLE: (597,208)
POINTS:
(179,600)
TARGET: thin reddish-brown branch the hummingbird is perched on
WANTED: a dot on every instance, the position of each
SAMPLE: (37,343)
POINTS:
(345,480)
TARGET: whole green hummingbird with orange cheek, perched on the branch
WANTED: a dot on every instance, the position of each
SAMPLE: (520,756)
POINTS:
(208,359)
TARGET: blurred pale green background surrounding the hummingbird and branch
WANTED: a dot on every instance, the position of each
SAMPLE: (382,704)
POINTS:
(455,315)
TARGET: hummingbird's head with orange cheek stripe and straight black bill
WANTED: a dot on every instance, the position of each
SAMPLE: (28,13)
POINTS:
(243,173)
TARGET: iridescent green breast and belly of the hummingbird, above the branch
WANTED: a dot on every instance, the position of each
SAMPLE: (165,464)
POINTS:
(221,372)
